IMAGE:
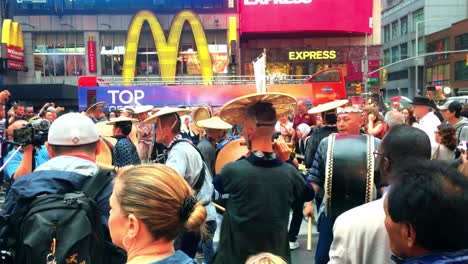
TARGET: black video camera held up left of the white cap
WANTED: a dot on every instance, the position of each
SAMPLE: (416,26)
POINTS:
(34,133)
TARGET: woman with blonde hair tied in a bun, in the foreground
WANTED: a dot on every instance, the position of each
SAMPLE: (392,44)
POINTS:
(150,205)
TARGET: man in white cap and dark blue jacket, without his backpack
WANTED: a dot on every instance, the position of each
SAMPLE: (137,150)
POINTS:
(72,146)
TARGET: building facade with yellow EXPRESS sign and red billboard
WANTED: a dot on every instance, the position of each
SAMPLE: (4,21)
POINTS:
(317,41)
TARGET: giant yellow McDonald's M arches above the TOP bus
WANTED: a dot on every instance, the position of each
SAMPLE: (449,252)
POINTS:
(167,48)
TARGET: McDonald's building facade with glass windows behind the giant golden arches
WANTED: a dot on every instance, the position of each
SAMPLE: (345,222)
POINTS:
(64,40)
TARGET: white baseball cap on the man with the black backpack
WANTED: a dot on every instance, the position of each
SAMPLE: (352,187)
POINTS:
(73,129)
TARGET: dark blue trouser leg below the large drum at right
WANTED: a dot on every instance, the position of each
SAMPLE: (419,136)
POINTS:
(325,228)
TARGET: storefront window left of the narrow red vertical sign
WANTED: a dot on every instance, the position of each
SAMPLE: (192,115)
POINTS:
(59,54)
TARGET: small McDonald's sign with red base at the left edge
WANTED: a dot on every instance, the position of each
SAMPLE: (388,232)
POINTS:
(12,42)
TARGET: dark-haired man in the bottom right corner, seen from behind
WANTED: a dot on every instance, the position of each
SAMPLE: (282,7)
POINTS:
(416,211)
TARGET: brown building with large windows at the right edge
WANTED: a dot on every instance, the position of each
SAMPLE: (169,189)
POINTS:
(448,70)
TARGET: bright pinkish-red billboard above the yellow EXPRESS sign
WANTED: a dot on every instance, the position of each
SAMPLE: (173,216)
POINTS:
(288,16)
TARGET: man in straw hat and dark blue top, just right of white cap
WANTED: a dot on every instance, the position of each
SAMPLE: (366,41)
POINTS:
(124,151)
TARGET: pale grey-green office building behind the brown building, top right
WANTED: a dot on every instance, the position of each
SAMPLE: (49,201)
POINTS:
(405,23)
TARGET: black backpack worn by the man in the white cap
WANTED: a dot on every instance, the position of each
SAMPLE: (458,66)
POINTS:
(66,228)
